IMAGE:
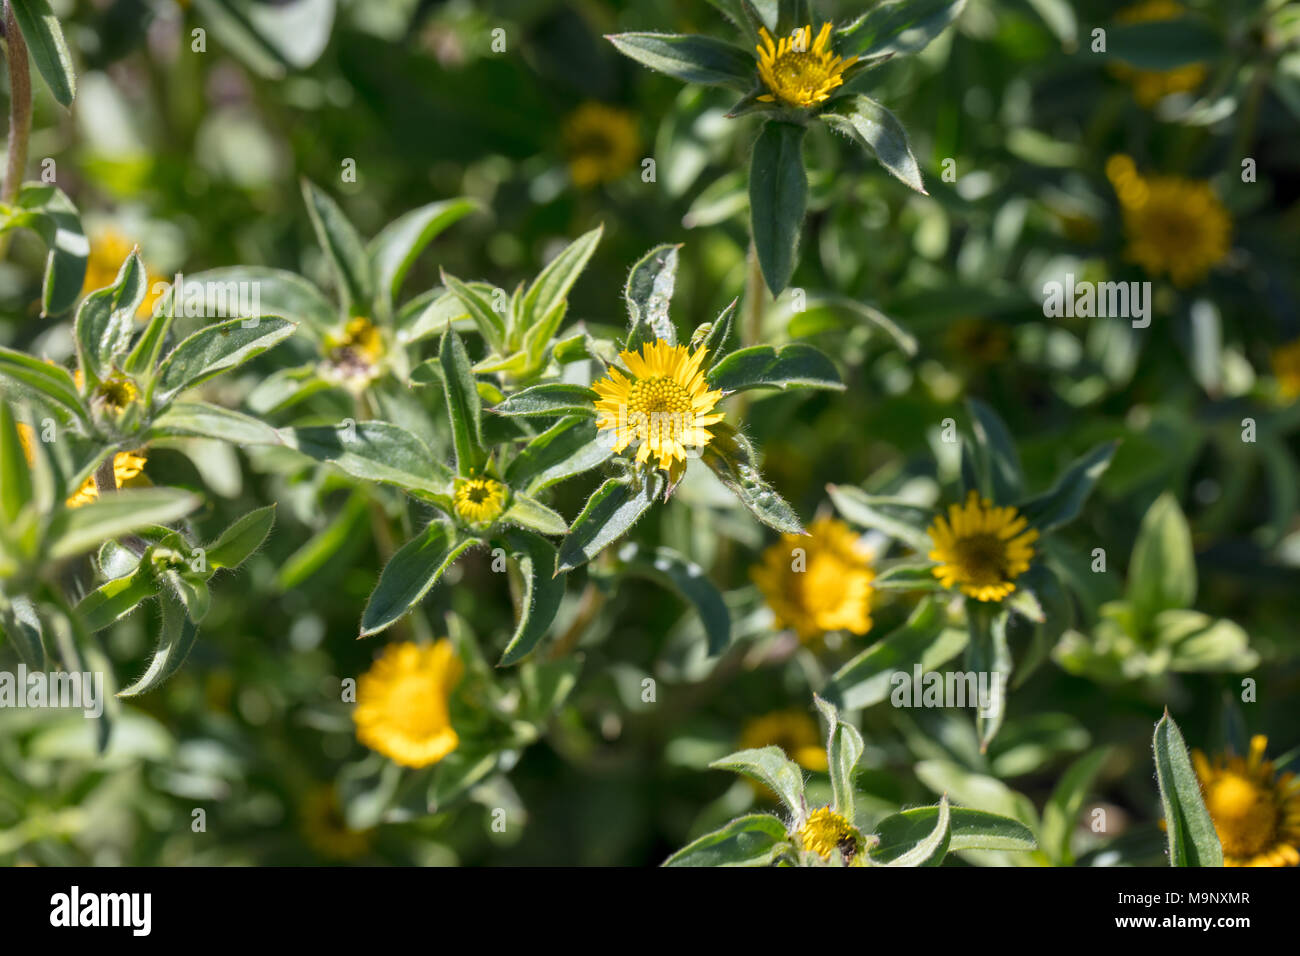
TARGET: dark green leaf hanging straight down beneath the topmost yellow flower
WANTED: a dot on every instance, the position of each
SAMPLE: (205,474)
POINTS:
(778,196)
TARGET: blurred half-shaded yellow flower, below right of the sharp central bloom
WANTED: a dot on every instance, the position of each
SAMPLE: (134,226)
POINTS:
(818,582)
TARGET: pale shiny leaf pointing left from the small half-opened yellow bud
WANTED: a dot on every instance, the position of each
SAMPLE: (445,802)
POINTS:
(376,452)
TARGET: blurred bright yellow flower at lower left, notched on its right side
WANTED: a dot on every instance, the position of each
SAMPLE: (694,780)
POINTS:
(404,703)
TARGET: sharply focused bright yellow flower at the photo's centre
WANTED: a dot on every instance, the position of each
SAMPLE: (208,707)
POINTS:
(666,405)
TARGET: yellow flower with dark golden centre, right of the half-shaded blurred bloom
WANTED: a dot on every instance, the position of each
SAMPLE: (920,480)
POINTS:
(982,548)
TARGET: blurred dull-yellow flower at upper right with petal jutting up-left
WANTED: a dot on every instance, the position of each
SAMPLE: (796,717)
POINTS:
(1173,226)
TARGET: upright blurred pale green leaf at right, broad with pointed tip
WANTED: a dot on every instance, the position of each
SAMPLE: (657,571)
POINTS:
(1163,572)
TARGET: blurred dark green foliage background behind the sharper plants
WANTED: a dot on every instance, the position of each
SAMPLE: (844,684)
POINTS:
(196,157)
